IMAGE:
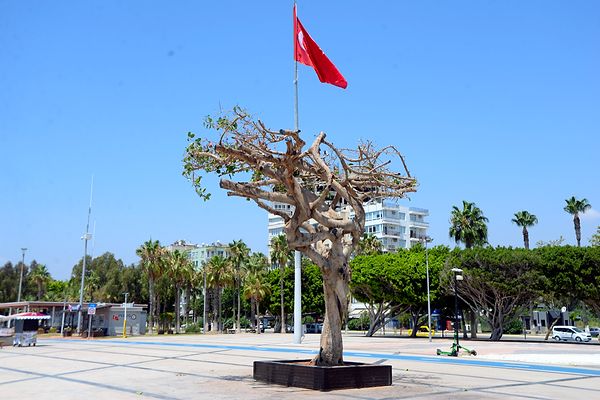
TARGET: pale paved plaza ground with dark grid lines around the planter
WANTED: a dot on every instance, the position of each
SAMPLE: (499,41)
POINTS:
(220,367)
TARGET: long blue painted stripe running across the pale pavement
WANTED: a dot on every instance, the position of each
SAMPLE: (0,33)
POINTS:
(389,356)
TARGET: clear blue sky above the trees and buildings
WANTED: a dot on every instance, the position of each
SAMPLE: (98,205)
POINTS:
(491,102)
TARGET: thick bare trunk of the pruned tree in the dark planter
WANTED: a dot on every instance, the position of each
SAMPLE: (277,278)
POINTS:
(335,287)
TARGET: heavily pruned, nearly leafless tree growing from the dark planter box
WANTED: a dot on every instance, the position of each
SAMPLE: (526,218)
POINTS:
(326,186)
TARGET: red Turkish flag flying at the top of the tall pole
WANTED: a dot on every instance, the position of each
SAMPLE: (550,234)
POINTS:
(307,52)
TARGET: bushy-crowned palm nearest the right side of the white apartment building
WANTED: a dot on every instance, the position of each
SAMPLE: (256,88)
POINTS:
(468,225)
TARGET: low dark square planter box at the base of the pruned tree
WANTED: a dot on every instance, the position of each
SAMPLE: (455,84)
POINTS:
(348,376)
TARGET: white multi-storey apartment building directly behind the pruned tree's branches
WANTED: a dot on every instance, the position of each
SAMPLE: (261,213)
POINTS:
(395,225)
